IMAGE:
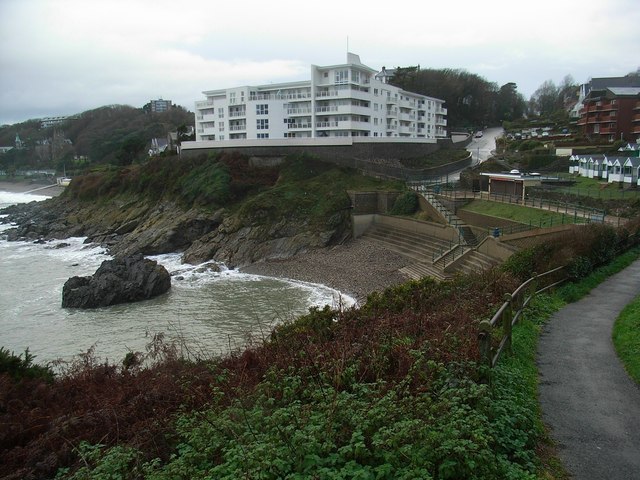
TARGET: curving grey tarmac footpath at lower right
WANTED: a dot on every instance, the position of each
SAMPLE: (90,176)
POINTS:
(591,405)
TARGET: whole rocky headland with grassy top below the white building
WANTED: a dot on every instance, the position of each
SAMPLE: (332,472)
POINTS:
(217,207)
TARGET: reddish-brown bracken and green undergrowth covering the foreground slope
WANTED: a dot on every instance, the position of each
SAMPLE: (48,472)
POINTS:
(386,391)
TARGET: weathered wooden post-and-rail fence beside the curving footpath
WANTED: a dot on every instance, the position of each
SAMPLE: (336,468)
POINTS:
(494,336)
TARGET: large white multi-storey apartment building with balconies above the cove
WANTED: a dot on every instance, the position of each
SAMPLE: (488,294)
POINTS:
(338,101)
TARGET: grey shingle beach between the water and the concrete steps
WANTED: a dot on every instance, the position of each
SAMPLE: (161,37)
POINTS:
(355,268)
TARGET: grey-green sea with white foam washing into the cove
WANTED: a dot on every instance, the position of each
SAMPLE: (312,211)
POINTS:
(205,313)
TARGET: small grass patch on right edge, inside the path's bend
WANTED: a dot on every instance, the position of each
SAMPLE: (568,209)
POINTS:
(626,338)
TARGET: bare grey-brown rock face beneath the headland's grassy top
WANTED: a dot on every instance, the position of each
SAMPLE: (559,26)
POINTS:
(143,226)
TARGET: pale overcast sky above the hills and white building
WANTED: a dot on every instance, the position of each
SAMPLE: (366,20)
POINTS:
(60,57)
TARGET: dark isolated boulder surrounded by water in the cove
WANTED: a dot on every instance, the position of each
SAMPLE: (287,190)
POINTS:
(122,280)
